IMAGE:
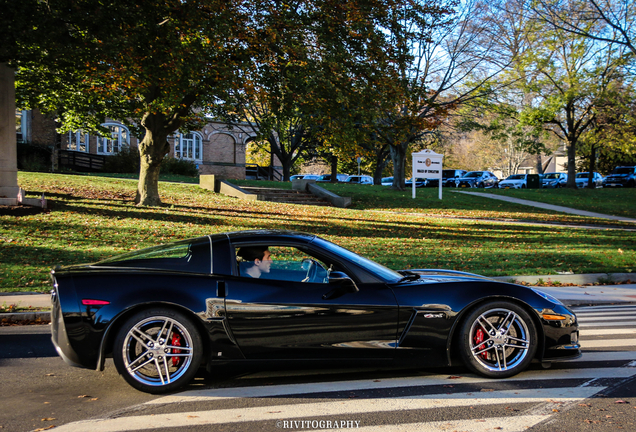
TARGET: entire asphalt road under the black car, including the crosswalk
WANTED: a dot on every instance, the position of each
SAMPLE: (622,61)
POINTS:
(596,392)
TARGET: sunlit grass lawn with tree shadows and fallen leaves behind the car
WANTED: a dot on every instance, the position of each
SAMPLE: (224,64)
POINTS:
(92,218)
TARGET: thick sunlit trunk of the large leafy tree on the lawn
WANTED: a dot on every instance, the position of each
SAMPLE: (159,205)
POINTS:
(152,151)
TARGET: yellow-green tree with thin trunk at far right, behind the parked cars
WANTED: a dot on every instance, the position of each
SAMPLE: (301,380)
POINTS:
(573,74)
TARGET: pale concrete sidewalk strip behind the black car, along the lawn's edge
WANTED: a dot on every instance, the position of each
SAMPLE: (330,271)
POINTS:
(576,295)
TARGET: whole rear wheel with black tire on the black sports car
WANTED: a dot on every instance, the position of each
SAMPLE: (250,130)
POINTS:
(158,350)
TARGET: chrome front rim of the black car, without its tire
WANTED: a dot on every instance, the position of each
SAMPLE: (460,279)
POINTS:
(499,339)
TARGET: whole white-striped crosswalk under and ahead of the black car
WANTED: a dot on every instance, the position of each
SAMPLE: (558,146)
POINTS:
(573,381)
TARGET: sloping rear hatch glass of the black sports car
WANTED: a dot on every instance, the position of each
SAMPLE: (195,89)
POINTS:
(192,256)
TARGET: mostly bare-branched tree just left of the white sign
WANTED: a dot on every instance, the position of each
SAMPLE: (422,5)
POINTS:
(442,50)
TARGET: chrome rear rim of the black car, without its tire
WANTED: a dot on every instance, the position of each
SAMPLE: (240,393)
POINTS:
(157,351)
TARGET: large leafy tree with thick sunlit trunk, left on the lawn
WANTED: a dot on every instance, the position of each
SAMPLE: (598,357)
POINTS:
(151,65)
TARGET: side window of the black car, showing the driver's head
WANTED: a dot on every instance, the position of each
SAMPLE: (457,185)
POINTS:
(282,263)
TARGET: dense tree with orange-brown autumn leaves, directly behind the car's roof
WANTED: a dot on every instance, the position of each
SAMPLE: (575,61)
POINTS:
(303,88)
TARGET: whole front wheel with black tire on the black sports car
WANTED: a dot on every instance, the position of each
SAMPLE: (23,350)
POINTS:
(505,328)
